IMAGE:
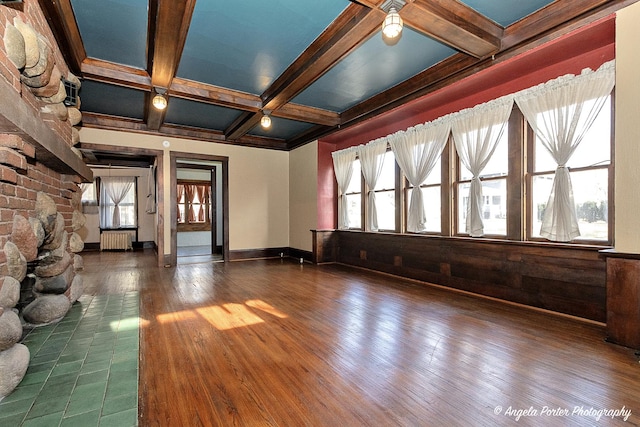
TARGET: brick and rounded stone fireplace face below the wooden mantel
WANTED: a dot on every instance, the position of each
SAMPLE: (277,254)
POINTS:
(40,210)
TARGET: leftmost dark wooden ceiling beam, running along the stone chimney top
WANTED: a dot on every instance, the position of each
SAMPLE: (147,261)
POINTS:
(59,14)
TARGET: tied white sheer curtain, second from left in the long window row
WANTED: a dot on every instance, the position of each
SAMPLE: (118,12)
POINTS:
(371,161)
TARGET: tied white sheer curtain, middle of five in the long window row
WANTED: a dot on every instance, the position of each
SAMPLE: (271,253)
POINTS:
(417,150)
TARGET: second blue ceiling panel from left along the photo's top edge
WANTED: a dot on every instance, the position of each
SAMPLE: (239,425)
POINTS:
(246,45)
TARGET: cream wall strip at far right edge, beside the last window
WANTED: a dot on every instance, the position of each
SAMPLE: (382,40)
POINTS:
(627,144)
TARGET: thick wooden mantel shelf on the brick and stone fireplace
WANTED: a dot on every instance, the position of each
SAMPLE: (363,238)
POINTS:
(17,117)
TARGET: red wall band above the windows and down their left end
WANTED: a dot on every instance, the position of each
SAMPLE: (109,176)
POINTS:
(587,47)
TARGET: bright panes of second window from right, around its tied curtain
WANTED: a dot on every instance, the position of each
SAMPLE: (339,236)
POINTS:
(494,190)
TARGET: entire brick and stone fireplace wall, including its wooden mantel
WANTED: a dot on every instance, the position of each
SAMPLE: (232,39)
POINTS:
(40,201)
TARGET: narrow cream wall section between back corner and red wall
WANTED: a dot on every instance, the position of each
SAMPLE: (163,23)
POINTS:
(303,194)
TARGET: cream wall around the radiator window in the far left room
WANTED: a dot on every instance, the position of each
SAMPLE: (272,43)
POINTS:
(146,222)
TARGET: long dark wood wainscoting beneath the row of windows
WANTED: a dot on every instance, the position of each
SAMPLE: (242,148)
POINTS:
(568,279)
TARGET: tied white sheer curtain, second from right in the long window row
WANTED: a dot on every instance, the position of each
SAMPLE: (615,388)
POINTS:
(476,132)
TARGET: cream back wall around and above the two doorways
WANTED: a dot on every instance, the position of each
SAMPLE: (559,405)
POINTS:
(258,185)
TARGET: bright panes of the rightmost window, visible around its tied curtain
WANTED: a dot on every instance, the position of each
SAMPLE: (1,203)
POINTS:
(591,172)
